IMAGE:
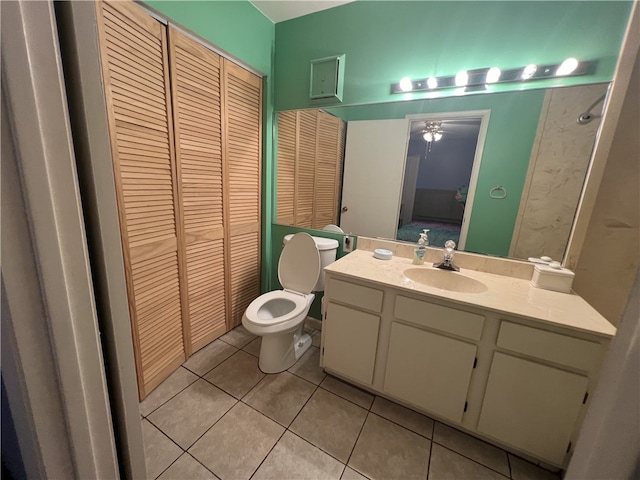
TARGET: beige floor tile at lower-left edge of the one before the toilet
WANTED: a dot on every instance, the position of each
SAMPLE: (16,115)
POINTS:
(235,446)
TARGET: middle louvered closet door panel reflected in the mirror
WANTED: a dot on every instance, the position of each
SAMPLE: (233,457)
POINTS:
(305,167)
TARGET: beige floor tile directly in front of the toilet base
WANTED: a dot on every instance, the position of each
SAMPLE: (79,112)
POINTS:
(280,397)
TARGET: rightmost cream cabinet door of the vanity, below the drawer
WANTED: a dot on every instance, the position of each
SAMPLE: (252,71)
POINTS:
(532,406)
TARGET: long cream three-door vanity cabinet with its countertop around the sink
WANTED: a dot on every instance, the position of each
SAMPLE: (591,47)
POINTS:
(504,376)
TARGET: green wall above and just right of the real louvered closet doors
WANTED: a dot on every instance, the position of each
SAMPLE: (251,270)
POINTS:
(241,30)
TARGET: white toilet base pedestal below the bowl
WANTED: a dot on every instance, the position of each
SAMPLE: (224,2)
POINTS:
(280,352)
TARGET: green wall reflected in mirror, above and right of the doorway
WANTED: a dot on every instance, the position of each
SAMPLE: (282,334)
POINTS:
(505,159)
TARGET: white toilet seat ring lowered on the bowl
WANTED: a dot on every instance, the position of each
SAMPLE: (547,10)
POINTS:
(258,312)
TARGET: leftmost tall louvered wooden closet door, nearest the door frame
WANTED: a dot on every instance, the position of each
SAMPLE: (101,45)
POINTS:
(133,51)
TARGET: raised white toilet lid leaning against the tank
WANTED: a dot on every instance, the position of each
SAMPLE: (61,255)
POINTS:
(299,265)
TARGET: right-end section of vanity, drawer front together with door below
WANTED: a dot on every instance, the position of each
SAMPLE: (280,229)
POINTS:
(537,387)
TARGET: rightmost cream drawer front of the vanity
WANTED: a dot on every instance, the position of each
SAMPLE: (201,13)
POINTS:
(554,347)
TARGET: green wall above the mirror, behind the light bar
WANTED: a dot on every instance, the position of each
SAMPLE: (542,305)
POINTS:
(387,40)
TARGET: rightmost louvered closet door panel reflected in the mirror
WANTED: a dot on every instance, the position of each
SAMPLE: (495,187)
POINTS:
(328,164)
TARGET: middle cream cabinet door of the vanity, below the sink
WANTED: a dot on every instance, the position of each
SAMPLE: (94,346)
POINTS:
(429,370)
